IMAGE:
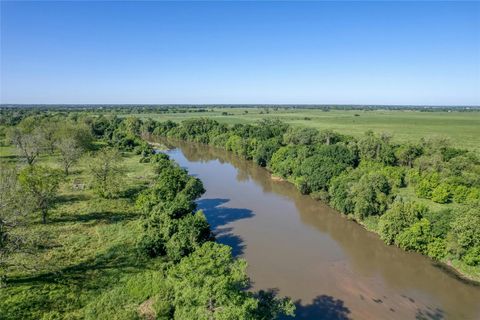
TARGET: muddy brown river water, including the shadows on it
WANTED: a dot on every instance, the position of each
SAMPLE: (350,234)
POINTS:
(330,266)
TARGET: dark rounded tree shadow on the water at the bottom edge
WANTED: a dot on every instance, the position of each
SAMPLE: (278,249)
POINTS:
(323,307)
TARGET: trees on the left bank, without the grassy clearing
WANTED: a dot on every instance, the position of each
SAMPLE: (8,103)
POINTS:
(201,279)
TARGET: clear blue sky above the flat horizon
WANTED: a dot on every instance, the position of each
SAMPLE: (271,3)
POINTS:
(241,52)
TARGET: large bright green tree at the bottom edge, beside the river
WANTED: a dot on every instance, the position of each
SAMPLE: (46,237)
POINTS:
(211,284)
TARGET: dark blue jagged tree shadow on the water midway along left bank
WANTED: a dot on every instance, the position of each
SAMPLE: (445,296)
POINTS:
(219,216)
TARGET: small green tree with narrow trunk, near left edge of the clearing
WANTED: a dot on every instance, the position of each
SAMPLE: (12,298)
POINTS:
(41,183)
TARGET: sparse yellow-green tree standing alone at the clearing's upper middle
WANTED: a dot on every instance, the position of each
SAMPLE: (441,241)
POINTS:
(106,172)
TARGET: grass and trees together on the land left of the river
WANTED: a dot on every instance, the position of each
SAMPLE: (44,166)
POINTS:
(84,262)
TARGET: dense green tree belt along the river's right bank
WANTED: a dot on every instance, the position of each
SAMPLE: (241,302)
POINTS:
(366,178)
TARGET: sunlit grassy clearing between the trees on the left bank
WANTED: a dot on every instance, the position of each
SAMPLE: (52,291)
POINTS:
(85,252)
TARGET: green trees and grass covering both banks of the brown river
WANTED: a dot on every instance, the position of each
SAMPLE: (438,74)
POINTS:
(94,223)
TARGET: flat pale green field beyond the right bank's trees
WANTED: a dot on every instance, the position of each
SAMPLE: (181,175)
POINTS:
(463,128)
